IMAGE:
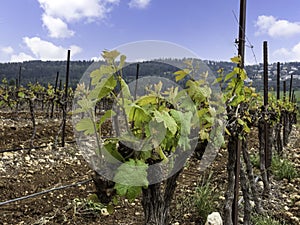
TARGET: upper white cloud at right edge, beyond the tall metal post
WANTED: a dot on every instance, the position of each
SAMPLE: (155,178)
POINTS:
(276,28)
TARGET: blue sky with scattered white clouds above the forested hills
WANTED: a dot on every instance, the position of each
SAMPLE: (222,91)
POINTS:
(45,29)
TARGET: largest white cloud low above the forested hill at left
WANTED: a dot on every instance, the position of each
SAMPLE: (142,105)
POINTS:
(45,50)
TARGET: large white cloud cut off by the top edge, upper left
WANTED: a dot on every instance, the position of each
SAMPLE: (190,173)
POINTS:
(58,13)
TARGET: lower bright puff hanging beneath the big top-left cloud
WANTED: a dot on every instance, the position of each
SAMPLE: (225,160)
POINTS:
(57,28)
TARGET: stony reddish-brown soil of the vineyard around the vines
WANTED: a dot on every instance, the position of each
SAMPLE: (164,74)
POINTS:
(23,173)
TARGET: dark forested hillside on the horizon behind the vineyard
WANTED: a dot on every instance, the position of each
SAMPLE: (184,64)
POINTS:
(45,72)
